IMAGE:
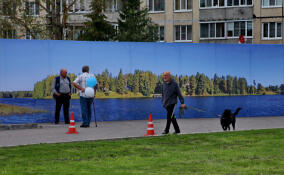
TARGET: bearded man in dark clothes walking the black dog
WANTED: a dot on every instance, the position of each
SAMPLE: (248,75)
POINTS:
(170,93)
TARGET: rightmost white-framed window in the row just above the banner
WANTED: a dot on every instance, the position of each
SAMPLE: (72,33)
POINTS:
(272,30)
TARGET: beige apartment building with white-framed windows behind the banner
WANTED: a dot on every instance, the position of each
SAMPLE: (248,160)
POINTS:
(194,21)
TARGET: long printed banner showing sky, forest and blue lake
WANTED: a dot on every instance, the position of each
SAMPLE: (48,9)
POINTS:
(212,77)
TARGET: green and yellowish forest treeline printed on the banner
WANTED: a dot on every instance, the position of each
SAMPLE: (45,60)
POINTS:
(148,83)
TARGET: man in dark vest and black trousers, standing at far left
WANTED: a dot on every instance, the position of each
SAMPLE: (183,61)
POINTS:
(62,93)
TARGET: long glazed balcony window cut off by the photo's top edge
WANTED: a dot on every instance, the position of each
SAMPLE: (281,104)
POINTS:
(224,3)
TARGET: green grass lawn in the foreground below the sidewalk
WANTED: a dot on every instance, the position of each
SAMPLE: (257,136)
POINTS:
(259,152)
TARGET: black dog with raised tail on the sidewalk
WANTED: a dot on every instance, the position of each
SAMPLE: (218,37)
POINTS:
(228,118)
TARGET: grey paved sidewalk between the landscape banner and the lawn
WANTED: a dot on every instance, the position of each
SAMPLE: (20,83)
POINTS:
(50,133)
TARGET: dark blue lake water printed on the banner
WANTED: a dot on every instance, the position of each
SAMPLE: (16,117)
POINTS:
(139,109)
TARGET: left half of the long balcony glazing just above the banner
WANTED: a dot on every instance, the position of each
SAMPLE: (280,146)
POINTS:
(212,30)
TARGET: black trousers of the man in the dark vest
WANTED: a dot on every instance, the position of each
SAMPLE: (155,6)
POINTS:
(63,99)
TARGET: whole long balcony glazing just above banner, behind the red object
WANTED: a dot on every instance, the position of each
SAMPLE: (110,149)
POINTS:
(232,30)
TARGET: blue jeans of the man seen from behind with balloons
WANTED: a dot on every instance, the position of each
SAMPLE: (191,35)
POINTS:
(86,109)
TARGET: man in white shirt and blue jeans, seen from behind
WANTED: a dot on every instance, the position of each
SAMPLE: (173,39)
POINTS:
(85,101)
